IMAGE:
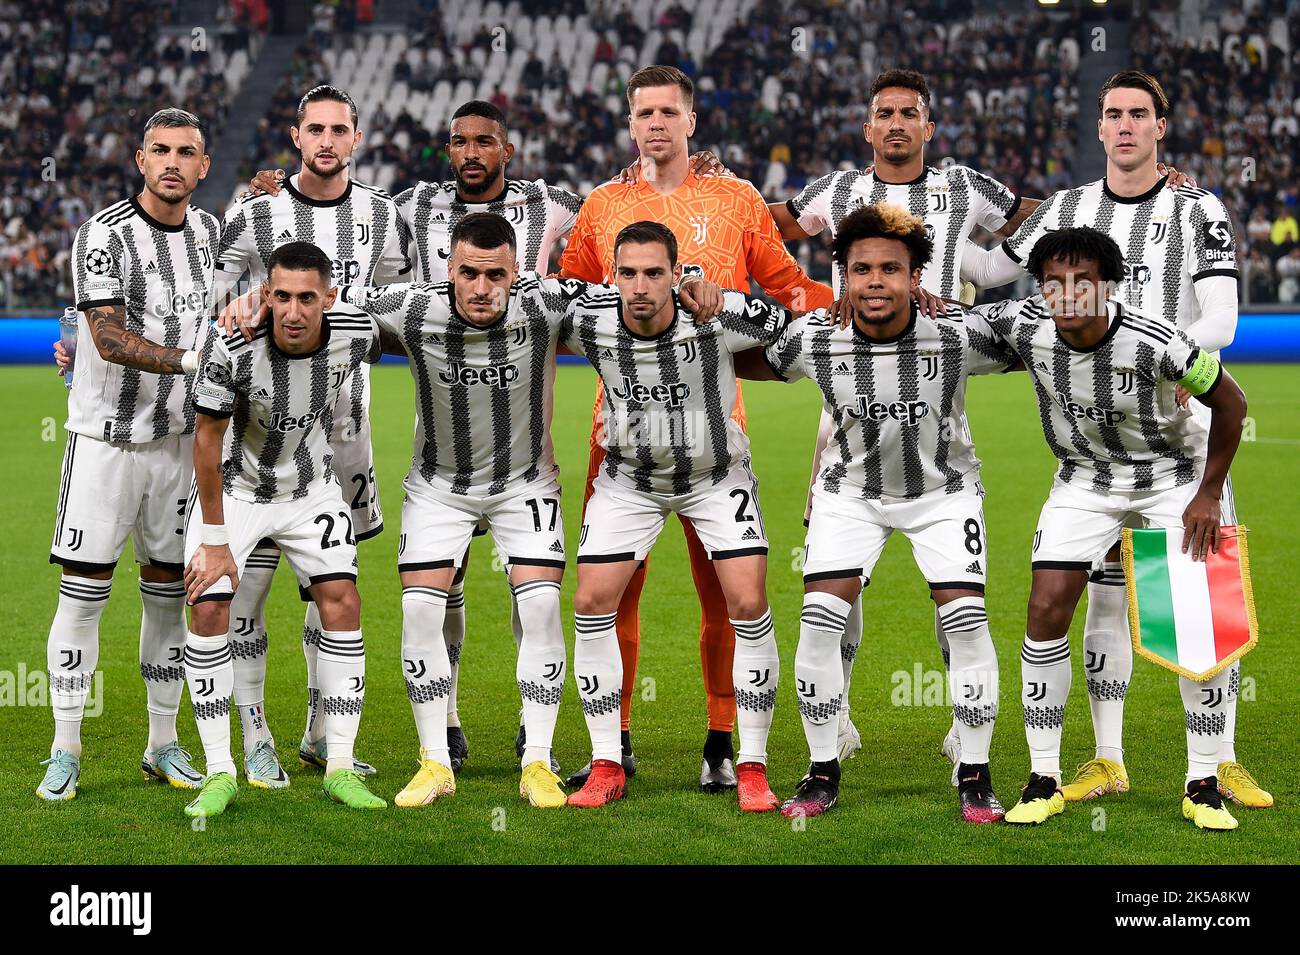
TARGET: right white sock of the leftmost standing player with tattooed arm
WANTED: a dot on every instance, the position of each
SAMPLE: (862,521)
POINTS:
(163,657)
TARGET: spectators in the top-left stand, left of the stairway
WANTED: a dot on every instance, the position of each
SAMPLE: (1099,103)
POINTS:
(80,77)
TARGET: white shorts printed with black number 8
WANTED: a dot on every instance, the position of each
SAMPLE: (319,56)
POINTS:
(847,535)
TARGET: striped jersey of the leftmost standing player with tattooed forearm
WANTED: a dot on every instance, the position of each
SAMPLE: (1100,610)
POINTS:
(163,277)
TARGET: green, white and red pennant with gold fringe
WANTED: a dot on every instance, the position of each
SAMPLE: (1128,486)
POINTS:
(1193,618)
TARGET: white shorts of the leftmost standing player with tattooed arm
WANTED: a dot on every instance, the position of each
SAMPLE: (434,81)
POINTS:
(112,490)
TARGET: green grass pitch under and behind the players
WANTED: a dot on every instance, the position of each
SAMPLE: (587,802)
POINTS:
(896,804)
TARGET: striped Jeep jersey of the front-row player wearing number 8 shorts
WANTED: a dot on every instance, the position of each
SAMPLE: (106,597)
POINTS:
(898,407)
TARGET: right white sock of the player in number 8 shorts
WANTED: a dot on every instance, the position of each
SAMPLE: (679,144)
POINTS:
(972,675)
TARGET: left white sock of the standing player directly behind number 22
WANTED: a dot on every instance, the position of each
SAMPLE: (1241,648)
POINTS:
(249,645)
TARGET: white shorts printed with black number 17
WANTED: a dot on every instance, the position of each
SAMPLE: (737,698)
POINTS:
(526,524)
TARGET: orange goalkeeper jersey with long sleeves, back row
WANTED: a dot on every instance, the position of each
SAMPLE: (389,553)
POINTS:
(723,229)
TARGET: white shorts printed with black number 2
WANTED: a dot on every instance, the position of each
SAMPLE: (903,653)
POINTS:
(623,523)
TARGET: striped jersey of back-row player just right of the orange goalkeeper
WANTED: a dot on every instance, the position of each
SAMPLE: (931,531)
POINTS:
(951,199)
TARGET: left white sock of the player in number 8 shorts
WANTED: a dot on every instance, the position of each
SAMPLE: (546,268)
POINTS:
(820,678)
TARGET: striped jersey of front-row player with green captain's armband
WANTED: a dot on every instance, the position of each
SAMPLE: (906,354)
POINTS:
(1110,415)
